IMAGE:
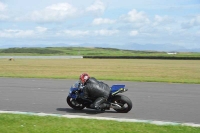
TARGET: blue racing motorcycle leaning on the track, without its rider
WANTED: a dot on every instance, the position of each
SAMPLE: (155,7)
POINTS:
(119,103)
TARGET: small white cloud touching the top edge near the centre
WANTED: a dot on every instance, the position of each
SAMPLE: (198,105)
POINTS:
(97,7)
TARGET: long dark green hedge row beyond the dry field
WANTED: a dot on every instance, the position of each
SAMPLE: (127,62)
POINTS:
(143,57)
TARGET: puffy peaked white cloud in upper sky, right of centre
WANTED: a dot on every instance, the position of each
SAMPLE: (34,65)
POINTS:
(135,17)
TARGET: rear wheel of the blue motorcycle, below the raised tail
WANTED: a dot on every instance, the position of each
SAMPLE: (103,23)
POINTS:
(124,102)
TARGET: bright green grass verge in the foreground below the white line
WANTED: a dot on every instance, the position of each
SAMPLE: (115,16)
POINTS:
(13,123)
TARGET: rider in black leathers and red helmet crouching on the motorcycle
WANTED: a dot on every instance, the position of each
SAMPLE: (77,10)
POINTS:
(96,90)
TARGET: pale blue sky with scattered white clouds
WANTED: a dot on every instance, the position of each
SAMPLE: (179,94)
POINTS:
(126,24)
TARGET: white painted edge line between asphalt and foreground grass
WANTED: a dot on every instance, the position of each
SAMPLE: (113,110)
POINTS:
(104,118)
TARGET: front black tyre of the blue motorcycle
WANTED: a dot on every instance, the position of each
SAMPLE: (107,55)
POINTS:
(74,104)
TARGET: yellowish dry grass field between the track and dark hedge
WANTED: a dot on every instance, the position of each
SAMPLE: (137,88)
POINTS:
(172,71)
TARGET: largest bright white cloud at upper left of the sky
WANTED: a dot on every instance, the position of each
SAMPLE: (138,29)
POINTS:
(54,13)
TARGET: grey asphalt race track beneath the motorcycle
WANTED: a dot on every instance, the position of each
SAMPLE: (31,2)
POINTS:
(151,101)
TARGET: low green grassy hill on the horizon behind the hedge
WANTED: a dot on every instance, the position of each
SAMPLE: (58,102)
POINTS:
(84,51)
